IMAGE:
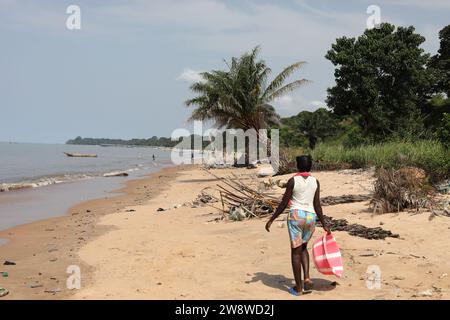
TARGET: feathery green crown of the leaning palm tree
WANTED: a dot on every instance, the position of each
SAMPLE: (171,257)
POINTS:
(240,97)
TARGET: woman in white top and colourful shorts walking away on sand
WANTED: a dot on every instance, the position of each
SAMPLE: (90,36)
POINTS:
(303,196)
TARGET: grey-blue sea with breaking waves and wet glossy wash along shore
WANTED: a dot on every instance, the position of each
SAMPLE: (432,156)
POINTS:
(56,182)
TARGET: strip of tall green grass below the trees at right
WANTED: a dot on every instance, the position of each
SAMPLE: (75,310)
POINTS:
(430,155)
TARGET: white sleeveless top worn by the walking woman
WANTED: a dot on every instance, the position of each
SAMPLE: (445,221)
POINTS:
(303,193)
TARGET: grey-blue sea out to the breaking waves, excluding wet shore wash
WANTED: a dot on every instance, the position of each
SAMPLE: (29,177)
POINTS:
(41,163)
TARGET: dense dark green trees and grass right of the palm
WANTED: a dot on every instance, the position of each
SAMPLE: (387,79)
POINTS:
(390,106)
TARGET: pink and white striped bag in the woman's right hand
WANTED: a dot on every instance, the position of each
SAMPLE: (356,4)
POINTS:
(327,257)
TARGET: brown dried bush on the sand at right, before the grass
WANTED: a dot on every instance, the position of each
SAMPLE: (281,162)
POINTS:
(397,190)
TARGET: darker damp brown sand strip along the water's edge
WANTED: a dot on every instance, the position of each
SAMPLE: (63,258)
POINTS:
(42,250)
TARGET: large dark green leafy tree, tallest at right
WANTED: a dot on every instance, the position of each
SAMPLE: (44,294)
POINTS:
(381,80)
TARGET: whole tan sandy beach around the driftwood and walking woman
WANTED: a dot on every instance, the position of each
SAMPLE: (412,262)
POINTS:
(127,249)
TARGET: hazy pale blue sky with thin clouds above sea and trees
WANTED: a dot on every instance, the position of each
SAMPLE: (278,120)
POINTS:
(127,72)
